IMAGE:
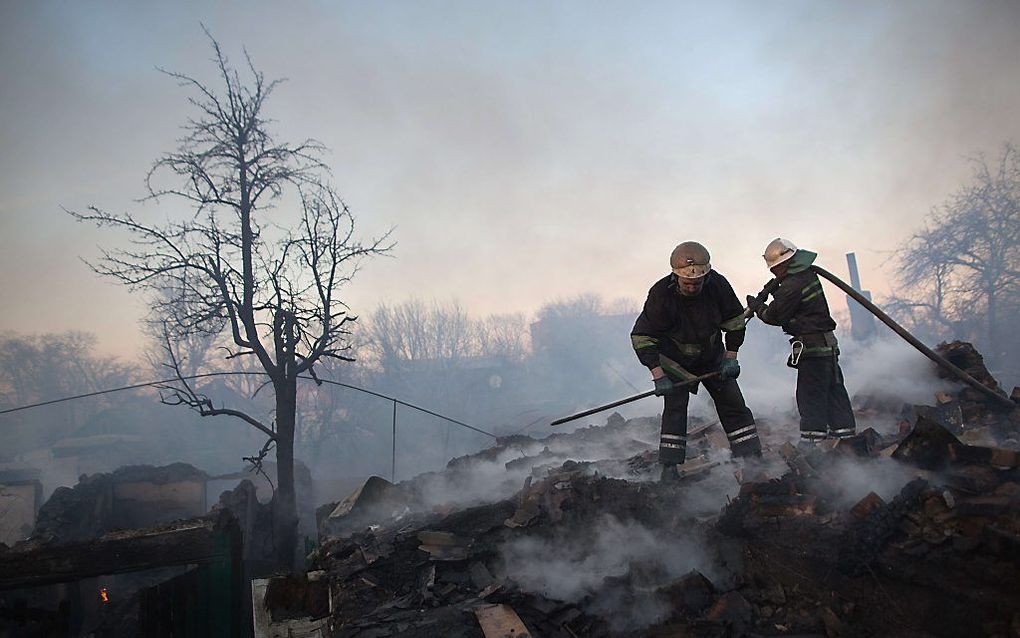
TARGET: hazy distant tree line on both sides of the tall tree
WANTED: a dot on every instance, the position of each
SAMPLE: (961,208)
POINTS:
(485,371)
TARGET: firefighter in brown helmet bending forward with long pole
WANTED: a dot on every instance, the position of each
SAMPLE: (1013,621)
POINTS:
(679,336)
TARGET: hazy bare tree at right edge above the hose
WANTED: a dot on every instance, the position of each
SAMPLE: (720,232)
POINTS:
(965,264)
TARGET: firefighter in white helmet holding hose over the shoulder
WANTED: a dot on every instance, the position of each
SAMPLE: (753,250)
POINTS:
(800,308)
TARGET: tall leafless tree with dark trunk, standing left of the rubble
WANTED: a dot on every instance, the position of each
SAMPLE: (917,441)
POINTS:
(234,266)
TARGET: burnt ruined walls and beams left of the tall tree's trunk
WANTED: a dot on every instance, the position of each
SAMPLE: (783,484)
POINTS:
(124,534)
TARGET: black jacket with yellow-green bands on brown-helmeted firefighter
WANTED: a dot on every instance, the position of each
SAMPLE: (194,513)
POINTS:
(688,330)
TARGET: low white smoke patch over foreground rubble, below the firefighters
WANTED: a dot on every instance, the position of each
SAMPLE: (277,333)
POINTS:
(613,566)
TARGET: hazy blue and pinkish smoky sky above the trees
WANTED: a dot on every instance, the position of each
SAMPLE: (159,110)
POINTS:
(526,152)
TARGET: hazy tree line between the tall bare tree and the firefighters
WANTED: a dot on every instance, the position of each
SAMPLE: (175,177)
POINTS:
(500,372)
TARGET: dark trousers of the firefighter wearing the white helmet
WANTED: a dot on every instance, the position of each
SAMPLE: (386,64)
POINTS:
(823,400)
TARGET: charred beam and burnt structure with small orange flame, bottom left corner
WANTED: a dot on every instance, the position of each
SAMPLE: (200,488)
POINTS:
(126,583)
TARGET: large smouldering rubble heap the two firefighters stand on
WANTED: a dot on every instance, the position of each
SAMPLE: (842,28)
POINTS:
(915,532)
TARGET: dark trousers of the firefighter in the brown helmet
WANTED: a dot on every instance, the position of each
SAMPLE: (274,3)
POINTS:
(734,415)
